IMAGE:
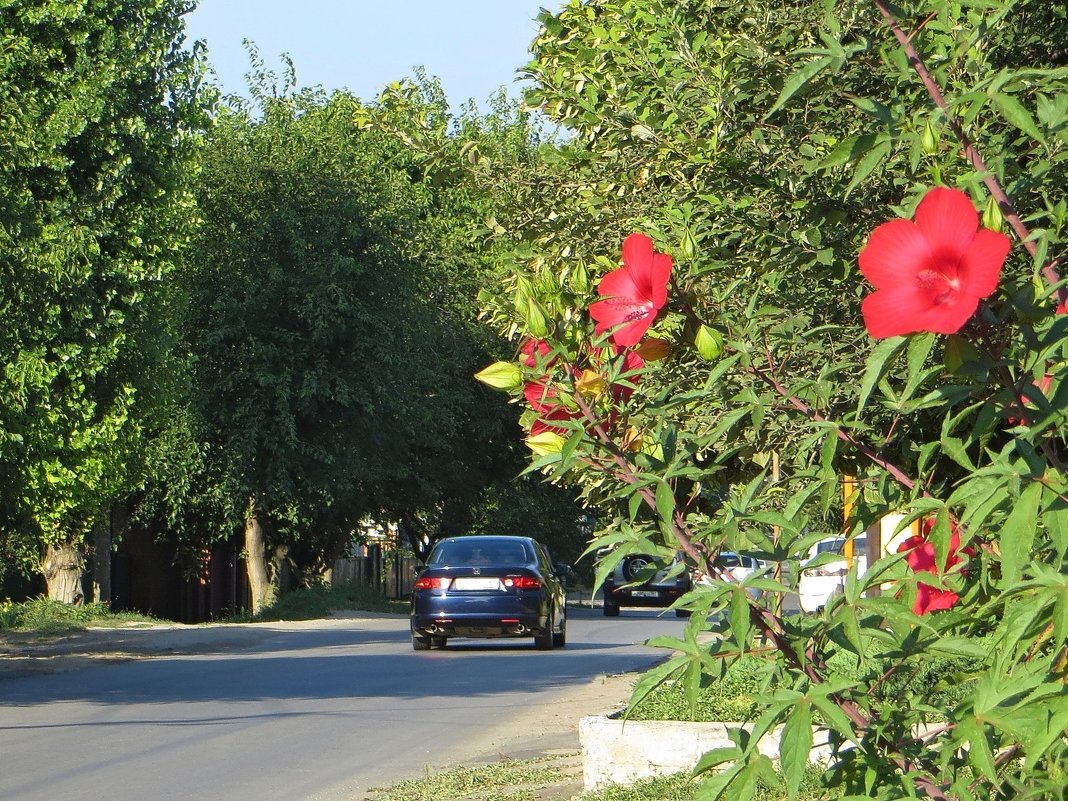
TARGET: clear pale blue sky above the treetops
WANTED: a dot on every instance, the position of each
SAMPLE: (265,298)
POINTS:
(473,46)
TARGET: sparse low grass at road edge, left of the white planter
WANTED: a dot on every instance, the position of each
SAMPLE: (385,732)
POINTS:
(514,780)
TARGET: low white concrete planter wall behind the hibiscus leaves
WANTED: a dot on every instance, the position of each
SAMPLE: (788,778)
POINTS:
(624,752)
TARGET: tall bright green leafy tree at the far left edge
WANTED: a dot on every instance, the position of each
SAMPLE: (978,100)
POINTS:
(99,107)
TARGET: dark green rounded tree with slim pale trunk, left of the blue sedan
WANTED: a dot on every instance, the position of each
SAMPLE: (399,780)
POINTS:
(302,353)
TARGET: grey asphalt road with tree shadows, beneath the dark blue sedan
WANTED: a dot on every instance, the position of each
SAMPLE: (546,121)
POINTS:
(324,712)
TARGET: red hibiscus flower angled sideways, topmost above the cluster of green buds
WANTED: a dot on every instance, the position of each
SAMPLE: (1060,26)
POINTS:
(633,294)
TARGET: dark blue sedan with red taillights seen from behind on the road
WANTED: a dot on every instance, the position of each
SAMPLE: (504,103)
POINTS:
(490,587)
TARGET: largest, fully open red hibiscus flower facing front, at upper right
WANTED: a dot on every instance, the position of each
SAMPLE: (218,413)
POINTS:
(931,274)
